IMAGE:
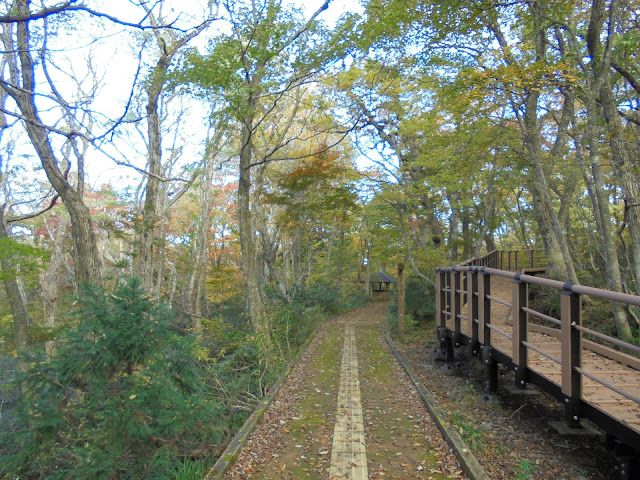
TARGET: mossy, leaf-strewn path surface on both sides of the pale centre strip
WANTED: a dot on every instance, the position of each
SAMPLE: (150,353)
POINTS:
(398,444)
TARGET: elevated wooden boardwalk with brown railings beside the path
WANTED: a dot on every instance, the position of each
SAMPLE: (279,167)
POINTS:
(487,308)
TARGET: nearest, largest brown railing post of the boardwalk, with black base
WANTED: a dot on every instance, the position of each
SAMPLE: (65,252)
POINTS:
(571,353)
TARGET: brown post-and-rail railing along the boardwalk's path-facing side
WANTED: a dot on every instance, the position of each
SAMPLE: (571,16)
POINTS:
(470,284)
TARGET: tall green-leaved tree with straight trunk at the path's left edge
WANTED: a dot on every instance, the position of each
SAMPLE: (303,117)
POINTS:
(271,51)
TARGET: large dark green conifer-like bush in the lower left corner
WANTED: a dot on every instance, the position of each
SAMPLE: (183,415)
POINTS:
(121,398)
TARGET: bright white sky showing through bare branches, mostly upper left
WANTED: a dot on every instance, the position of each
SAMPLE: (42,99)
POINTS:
(87,51)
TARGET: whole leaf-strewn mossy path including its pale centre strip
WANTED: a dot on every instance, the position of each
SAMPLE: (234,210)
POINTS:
(311,432)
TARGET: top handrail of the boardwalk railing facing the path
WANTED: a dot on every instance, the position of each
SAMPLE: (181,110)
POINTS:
(547,282)
